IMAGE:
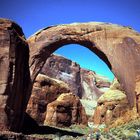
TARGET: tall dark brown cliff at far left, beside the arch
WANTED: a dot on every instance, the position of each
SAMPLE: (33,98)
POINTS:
(14,75)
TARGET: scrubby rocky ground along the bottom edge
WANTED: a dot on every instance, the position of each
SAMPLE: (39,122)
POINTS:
(122,132)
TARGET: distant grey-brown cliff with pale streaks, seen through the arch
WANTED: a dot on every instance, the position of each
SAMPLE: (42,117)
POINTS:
(84,83)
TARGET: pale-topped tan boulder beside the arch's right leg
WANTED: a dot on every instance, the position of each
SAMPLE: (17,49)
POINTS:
(111,105)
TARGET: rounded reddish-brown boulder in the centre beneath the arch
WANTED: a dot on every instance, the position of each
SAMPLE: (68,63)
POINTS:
(65,111)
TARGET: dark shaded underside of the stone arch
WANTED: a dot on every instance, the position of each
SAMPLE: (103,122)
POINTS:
(51,48)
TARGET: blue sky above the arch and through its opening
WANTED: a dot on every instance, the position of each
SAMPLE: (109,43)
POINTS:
(32,15)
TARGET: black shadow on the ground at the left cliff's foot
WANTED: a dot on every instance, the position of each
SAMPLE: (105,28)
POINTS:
(31,127)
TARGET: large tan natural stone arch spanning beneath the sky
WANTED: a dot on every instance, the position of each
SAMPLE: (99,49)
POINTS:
(117,46)
